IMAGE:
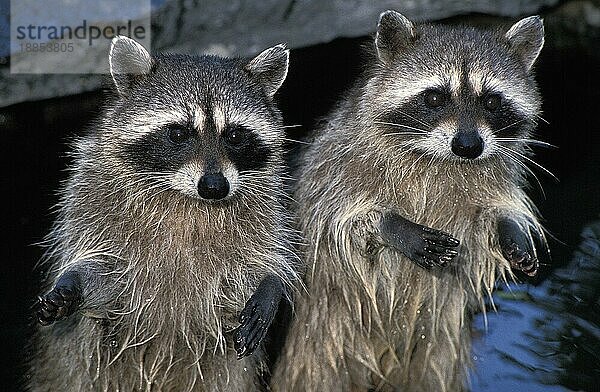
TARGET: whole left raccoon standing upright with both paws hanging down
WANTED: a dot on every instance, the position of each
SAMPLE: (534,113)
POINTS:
(171,224)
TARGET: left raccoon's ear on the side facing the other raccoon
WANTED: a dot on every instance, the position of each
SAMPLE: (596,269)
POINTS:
(270,68)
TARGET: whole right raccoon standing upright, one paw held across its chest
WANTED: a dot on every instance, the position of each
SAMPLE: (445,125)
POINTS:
(411,202)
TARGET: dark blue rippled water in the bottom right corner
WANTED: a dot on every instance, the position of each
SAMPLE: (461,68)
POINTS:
(545,338)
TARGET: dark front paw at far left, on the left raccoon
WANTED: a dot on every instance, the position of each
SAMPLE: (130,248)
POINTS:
(57,304)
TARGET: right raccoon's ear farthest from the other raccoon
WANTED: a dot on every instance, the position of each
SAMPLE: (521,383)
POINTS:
(526,39)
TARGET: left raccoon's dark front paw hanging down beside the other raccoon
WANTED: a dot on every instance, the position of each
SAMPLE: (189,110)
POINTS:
(257,316)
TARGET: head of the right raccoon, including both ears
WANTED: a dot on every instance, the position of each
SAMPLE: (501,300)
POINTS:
(457,93)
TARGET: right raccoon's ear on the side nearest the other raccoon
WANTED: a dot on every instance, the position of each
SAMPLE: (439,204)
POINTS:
(394,32)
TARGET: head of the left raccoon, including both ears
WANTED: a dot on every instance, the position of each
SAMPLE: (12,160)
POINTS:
(203,126)
